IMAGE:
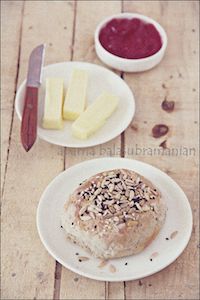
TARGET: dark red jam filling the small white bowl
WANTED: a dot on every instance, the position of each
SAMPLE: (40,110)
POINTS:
(130,38)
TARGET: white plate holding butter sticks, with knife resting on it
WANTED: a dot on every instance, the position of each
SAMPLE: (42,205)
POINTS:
(100,79)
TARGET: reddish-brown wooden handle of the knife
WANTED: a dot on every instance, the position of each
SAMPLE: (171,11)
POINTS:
(29,118)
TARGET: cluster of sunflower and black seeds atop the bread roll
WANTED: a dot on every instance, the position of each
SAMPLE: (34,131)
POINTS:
(116,196)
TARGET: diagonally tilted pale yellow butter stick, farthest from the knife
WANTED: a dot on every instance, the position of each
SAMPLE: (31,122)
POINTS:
(95,116)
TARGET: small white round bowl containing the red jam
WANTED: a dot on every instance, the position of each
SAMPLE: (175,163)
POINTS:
(130,65)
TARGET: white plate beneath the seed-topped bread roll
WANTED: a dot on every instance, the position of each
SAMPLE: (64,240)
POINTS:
(179,218)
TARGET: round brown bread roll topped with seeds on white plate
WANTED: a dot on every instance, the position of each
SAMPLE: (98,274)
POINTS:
(114,214)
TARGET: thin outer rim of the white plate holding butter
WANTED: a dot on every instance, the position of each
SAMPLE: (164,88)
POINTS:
(78,145)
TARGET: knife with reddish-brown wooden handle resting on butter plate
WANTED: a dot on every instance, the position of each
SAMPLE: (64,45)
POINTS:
(29,117)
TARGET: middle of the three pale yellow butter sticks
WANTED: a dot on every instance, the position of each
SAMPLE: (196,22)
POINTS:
(75,99)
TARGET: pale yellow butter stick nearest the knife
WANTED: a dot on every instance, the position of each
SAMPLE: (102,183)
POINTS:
(53,104)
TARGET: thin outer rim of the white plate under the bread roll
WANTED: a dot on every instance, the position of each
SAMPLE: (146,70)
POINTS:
(109,279)
